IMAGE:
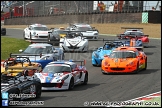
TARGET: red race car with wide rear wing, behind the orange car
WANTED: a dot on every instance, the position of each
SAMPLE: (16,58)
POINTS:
(137,32)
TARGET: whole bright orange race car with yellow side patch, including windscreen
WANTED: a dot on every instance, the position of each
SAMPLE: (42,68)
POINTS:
(124,59)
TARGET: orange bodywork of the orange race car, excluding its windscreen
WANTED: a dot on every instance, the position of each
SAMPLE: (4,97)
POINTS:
(125,65)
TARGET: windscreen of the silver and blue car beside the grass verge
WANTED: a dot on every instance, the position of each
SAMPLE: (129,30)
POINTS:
(38,50)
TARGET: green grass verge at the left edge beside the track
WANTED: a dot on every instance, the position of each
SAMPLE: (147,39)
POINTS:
(11,45)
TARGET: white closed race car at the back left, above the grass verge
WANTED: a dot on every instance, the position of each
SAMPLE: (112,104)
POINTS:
(36,31)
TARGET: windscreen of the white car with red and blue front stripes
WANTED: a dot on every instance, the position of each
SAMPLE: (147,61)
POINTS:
(57,69)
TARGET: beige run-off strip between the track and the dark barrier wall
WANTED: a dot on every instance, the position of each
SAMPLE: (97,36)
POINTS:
(153,30)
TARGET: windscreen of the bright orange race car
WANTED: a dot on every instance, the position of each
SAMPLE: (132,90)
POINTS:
(123,54)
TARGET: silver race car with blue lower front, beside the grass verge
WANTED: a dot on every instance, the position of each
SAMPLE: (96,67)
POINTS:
(48,52)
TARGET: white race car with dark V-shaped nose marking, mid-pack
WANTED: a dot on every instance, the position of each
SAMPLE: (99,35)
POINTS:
(74,41)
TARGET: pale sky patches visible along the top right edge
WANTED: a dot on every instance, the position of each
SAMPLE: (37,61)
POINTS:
(148,4)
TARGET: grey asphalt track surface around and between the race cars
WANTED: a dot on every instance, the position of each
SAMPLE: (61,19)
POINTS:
(116,87)
